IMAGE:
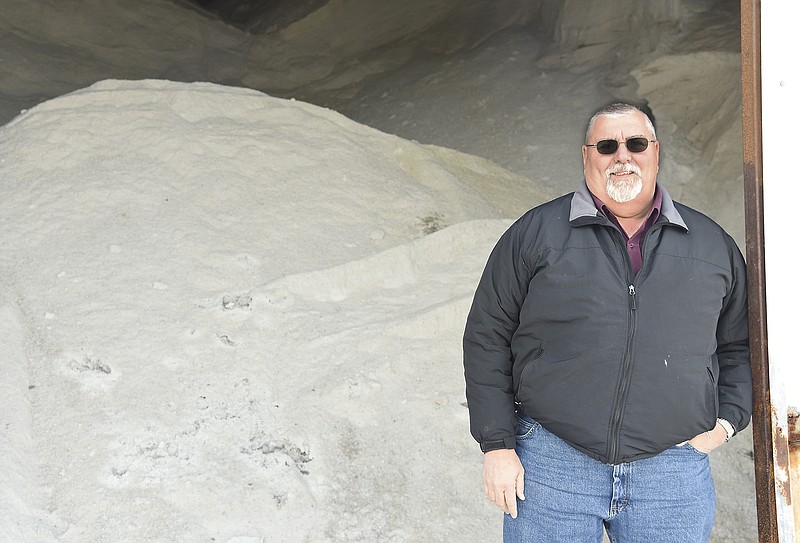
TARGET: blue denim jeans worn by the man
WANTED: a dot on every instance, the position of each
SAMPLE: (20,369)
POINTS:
(571,498)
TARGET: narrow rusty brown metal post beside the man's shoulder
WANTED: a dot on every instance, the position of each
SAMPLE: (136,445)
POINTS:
(754,233)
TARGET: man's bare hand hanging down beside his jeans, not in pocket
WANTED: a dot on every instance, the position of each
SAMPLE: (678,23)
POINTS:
(503,479)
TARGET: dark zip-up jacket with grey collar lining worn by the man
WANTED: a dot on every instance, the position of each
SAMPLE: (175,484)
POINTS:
(621,367)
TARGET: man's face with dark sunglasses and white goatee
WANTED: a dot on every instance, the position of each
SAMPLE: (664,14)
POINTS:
(622,176)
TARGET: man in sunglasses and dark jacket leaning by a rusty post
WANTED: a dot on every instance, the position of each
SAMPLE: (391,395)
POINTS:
(606,354)
